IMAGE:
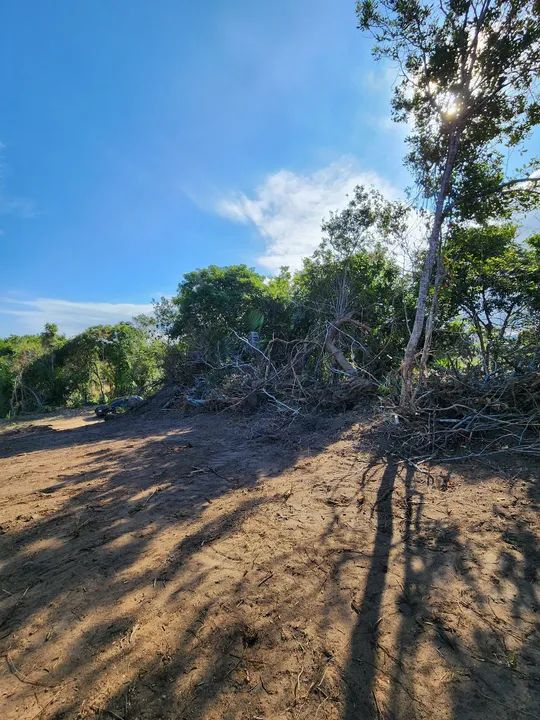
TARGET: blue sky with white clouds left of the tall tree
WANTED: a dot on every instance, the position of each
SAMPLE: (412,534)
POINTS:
(143,139)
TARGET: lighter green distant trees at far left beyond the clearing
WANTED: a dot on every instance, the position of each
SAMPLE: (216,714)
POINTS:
(45,371)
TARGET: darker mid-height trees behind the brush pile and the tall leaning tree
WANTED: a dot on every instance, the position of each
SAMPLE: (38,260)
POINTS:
(348,313)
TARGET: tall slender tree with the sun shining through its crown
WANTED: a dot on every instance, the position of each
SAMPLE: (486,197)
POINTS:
(469,87)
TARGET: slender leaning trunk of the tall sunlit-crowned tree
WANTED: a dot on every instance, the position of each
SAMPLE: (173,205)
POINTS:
(409,357)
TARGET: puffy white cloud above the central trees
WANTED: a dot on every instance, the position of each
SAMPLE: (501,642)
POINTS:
(287,208)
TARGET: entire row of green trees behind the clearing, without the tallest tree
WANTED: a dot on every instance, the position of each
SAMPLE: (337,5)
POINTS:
(341,323)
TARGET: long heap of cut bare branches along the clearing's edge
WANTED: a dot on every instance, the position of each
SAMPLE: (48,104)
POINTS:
(456,415)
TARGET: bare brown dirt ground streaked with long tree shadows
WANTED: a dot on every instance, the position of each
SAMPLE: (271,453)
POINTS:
(195,567)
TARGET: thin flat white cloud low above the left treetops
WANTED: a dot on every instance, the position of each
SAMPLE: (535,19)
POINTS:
(29,316)
